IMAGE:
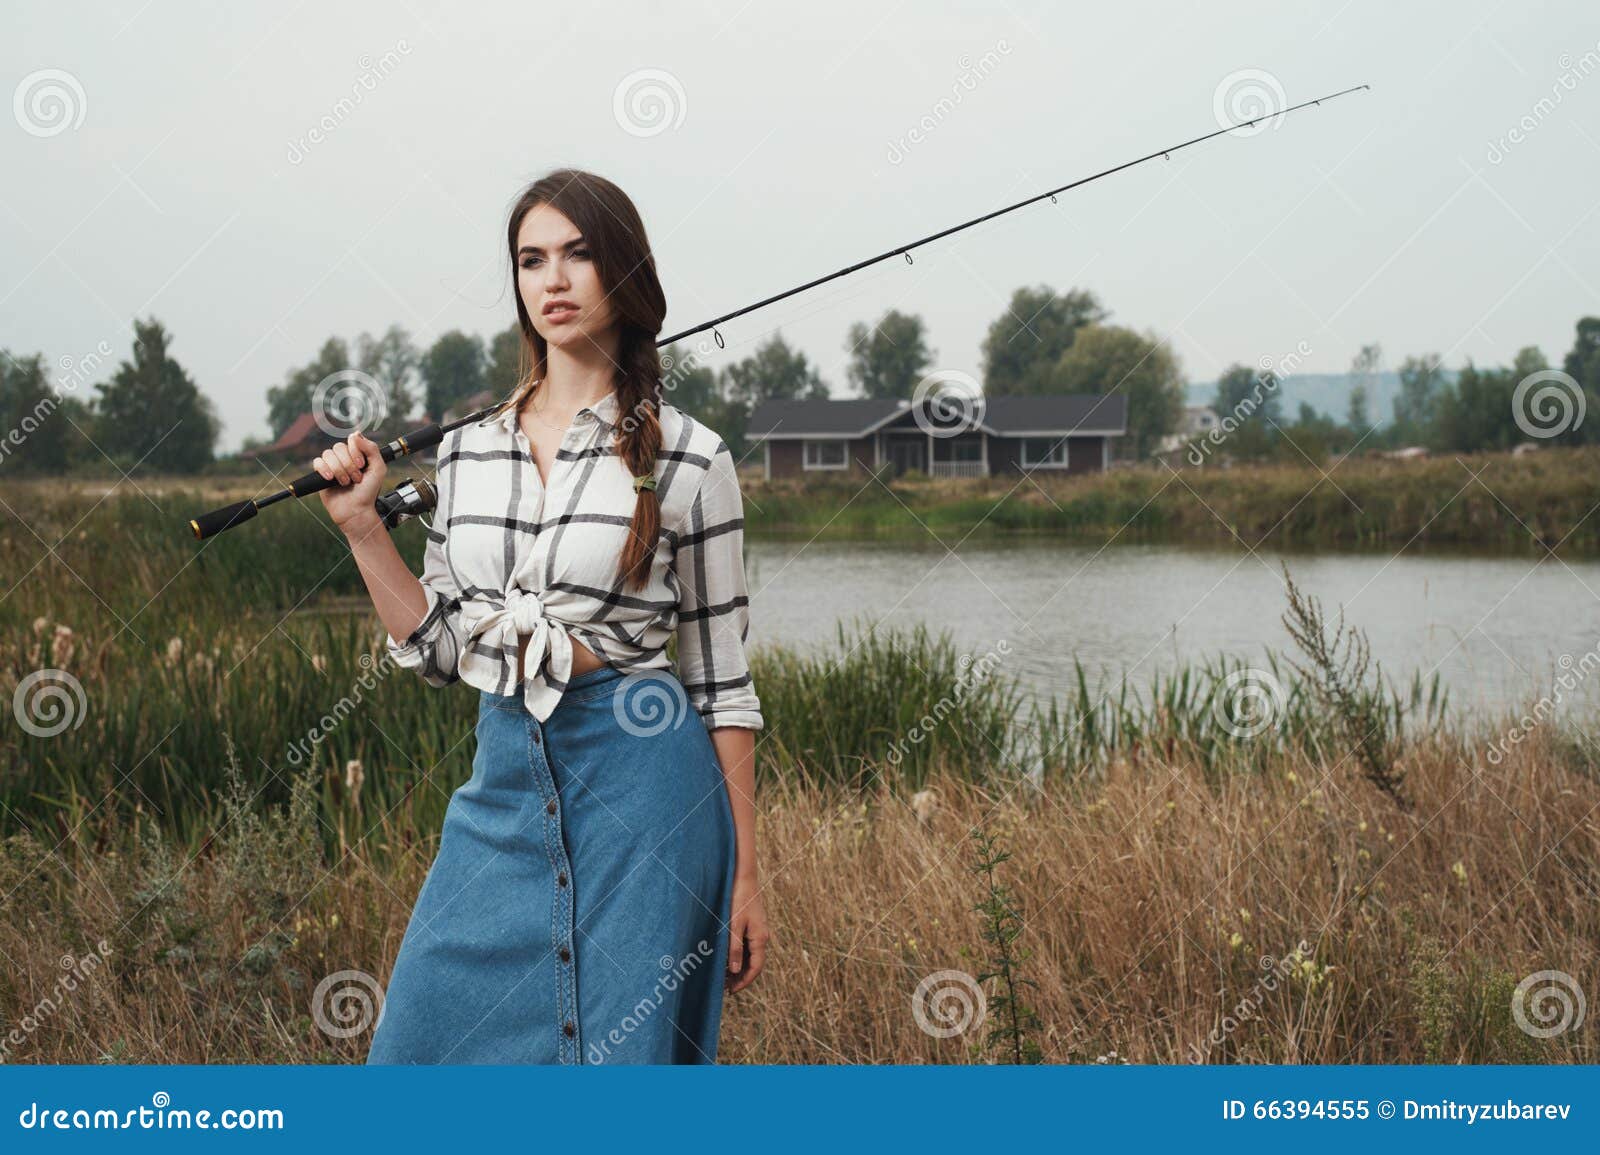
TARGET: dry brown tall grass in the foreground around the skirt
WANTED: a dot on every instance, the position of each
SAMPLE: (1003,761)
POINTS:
(1150,900)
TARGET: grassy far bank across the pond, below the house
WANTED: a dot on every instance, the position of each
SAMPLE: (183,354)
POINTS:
(1495,502)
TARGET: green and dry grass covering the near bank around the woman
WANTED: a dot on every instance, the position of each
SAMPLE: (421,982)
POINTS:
(215,858)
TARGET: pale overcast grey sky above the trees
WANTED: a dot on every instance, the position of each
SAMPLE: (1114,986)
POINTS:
(265,177)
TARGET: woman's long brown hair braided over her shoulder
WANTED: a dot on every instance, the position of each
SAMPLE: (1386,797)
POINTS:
(617,241)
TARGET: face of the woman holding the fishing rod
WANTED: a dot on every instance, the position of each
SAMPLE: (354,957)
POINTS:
(554,265)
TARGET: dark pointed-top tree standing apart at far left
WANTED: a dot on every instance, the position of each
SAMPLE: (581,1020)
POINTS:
(151,414)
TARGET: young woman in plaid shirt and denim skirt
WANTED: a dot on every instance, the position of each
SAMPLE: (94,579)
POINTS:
(596,889)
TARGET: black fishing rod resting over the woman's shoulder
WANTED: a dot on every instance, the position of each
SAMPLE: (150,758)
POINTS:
(426,438)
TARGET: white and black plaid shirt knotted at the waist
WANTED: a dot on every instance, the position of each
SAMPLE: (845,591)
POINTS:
(505,561)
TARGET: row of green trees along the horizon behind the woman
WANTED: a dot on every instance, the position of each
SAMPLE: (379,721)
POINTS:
(151,417)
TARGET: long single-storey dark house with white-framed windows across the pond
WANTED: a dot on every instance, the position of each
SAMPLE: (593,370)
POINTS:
(969,438)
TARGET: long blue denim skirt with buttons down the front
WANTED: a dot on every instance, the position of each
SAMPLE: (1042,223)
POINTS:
(578,906)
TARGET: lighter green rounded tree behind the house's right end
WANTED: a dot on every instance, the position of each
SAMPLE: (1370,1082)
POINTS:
(1110,359)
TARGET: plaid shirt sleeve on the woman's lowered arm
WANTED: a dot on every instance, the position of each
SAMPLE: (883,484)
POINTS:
(714,605)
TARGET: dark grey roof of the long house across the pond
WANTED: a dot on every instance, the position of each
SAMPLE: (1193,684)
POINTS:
(1060,414)
